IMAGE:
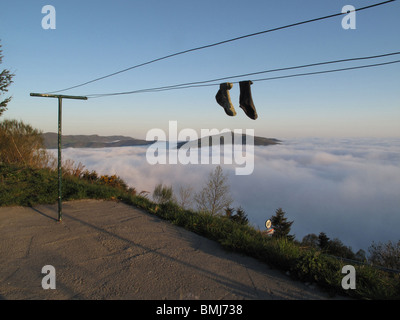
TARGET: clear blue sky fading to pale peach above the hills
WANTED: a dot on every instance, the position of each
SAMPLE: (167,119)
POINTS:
(95,38)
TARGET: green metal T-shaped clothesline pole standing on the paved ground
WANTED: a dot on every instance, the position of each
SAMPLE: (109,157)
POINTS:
(59,97)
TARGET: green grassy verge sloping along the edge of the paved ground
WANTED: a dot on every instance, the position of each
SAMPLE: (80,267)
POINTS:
(27,187)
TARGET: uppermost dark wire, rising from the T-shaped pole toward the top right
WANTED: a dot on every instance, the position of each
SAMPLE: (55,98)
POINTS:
(220,43)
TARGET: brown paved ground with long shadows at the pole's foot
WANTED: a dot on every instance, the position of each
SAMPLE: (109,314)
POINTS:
(108,250)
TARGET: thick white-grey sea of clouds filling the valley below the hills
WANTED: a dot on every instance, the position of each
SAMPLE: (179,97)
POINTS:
(347,188)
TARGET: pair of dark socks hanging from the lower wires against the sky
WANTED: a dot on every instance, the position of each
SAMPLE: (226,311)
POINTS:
(246,101)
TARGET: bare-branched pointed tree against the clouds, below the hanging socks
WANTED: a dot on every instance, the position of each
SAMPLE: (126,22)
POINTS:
(215,196)
